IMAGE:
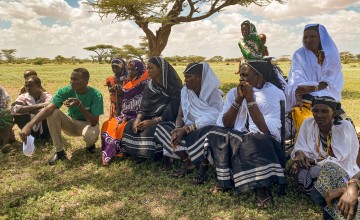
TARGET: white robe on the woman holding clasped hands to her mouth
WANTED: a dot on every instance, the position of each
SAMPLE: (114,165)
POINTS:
(267,99)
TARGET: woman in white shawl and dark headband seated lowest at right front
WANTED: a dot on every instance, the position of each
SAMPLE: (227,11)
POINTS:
(325,154)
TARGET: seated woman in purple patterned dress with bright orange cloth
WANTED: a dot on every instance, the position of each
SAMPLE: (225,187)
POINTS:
(132,92)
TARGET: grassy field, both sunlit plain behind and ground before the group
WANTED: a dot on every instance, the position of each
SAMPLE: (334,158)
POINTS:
(129,189)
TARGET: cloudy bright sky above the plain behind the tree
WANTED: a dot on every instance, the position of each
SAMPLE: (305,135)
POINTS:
(47,28)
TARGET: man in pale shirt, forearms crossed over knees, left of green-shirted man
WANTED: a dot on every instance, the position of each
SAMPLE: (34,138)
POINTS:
(28,104)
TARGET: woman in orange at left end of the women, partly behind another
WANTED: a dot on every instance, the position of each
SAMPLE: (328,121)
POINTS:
(114,84)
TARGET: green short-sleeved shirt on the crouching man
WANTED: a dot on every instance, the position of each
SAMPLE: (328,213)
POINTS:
(92,101)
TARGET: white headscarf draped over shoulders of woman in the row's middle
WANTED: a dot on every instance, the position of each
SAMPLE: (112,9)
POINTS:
(203,110)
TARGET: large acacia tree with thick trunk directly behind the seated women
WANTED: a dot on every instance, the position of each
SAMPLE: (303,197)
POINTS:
(167,13)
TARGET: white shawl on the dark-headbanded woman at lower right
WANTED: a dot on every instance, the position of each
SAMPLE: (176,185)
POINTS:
(344,143)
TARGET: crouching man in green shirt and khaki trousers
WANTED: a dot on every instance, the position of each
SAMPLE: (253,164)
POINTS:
(85,105)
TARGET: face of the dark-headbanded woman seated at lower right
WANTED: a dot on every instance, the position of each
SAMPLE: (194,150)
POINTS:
(323,114)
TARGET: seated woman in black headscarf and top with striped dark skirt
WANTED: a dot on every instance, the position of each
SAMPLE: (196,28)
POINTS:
(160,102)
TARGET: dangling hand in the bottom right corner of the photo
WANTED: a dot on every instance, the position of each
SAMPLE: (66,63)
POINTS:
(347,205)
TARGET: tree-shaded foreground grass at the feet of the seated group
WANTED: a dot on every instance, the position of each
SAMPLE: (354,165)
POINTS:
(82,188)
